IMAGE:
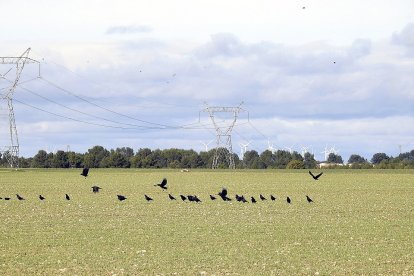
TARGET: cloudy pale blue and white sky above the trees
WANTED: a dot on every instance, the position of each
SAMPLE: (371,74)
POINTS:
(305,74)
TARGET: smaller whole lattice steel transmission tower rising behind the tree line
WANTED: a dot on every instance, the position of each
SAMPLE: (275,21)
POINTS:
(223,132)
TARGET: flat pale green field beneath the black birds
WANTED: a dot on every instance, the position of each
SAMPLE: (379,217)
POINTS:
(361,223)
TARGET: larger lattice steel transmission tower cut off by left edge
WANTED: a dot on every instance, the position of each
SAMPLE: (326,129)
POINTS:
(11,151)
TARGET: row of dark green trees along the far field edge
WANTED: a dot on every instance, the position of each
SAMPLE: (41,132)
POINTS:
(125,157)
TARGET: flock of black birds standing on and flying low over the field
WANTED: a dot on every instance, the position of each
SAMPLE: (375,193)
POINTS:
(223,194)
